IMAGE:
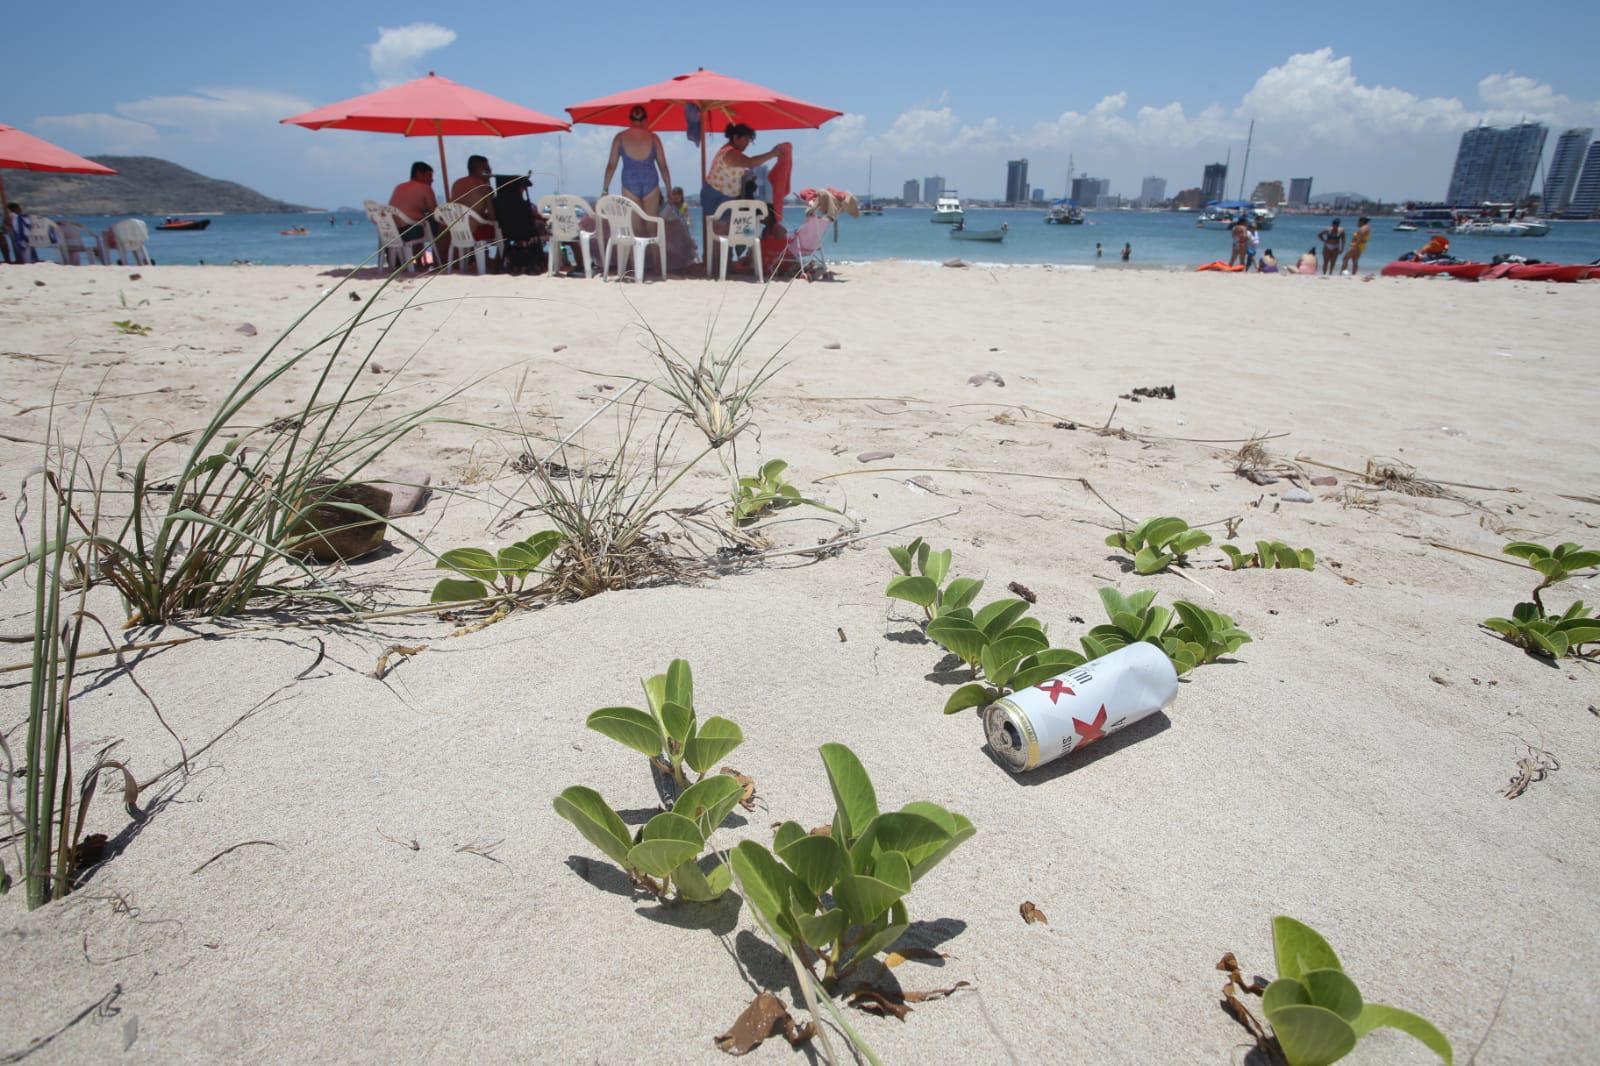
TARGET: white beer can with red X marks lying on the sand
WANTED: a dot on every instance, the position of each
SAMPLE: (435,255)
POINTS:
(1070,711)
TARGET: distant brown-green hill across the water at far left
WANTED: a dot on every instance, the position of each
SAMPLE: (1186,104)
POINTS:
(142,186)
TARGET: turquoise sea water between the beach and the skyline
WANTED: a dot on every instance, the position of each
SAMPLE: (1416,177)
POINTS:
(1158,238)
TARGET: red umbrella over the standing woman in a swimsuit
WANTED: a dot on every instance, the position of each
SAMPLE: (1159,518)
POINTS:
(722,102)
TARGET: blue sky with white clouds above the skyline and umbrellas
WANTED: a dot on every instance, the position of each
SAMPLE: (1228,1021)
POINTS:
(1362,97)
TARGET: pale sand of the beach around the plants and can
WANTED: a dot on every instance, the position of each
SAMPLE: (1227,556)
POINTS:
(409,894)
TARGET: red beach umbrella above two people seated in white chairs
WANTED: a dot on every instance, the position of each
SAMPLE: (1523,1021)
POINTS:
(431,108)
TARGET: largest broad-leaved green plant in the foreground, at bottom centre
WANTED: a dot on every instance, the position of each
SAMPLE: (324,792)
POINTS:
(838,897)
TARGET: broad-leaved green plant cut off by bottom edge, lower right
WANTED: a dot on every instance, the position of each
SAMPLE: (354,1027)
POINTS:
(1318,1012)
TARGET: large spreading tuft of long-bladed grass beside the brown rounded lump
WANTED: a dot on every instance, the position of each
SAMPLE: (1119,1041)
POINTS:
(217,532)
